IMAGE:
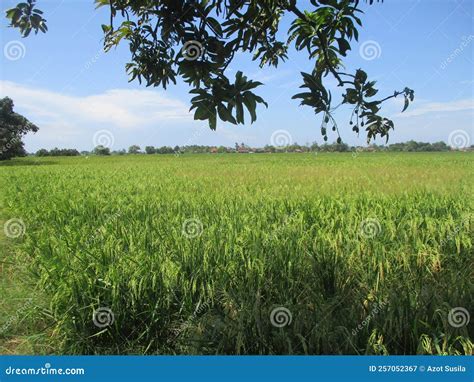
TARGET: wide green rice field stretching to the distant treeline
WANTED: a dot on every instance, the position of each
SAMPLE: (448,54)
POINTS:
(244,254)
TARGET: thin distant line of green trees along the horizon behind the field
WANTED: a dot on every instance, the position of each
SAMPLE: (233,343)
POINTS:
(410,146)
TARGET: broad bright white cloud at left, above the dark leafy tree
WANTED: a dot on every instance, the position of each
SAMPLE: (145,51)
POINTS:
(117,108)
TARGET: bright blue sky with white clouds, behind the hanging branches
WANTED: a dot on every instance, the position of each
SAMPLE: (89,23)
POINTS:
(65,84)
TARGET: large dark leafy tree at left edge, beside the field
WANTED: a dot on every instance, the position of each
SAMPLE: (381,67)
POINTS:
(12,128)
